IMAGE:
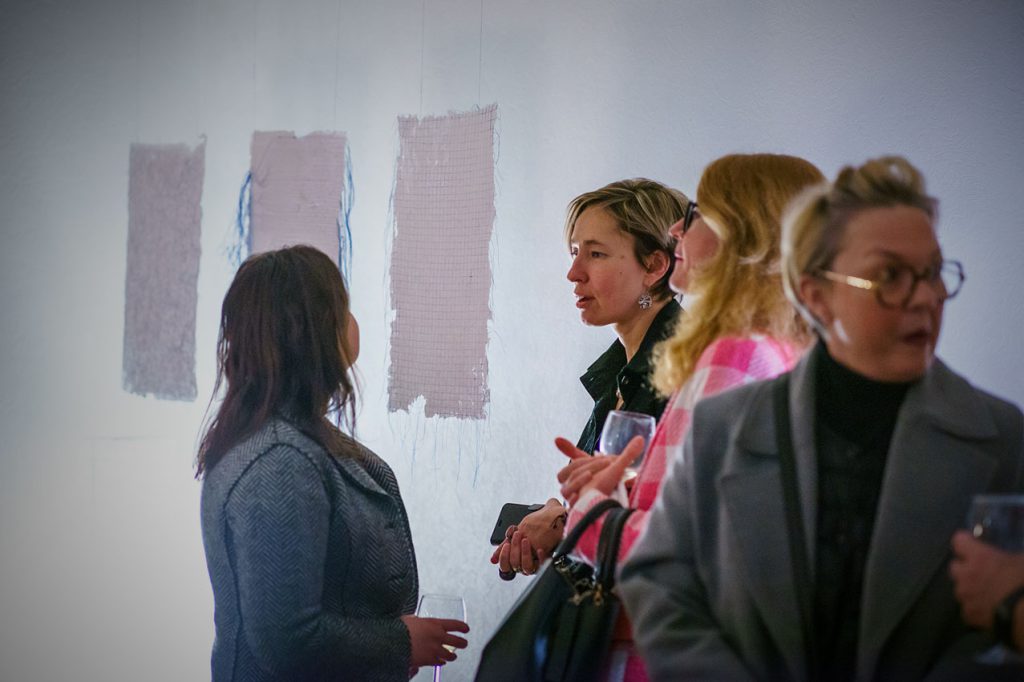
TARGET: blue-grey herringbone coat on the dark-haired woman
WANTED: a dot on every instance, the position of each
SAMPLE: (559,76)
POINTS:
(311,560)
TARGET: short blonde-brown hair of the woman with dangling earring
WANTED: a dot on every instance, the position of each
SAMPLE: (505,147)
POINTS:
(644,209)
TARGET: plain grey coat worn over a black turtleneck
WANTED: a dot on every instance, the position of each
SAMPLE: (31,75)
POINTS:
(710,587)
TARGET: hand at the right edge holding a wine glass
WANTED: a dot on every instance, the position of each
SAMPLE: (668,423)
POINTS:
(983,575)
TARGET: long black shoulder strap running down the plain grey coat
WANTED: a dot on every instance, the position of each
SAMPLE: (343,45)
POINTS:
(795,522)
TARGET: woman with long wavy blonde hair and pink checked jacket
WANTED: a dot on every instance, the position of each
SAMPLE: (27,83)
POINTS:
(738,328)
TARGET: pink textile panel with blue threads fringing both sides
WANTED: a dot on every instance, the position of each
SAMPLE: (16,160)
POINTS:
(297,187)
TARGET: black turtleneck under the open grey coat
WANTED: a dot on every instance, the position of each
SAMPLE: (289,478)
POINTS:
(856,421)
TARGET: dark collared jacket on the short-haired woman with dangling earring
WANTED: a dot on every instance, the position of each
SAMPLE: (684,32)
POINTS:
(611,373)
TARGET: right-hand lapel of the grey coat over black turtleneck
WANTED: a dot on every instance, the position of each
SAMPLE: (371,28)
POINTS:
(936,463)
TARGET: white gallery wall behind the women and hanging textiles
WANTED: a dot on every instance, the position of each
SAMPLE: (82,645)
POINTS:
(102,568)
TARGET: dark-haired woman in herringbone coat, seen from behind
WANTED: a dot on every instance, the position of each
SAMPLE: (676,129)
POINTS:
(307,538)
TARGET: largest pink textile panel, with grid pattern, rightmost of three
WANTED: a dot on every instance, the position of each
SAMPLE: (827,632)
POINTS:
(441,270)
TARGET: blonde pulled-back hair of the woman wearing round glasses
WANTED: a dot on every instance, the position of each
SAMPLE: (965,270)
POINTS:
(816,224)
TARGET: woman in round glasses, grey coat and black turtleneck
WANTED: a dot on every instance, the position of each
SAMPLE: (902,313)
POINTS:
(804,531)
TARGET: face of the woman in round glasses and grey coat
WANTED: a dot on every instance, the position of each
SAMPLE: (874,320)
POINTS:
(884,343)
